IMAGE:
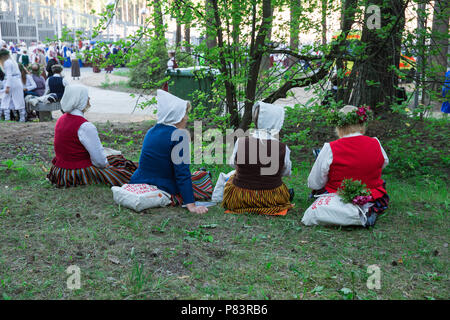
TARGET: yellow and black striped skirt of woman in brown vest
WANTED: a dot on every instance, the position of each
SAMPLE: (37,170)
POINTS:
(269,202)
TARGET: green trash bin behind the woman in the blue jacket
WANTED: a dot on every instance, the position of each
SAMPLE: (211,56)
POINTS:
(184,82)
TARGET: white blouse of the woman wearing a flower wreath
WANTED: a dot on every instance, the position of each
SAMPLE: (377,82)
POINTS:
(318,177)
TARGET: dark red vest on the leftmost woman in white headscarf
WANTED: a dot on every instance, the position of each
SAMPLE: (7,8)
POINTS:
(70,153)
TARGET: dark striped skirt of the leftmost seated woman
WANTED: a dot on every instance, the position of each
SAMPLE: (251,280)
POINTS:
(117,174)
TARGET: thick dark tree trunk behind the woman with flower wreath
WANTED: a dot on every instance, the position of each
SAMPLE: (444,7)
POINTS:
(374,78)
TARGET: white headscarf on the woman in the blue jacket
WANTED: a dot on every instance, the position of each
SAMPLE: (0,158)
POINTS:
(171,109)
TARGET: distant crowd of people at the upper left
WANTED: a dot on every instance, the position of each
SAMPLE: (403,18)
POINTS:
(36,71)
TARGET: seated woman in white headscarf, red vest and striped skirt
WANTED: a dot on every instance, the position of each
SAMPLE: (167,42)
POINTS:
(79,155)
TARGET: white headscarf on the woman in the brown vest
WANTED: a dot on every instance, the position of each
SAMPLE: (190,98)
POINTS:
(270,119)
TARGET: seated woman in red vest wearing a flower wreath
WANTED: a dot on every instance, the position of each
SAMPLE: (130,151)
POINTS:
(353,156)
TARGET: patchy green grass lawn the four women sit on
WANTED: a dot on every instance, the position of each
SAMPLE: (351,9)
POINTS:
(169,253)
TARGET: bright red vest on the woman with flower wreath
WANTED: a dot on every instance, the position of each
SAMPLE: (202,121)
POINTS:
(358,158)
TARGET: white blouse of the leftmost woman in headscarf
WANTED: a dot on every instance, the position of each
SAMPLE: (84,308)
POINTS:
(88,135)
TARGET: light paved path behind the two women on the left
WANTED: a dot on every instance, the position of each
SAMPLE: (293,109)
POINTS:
(108,105)
